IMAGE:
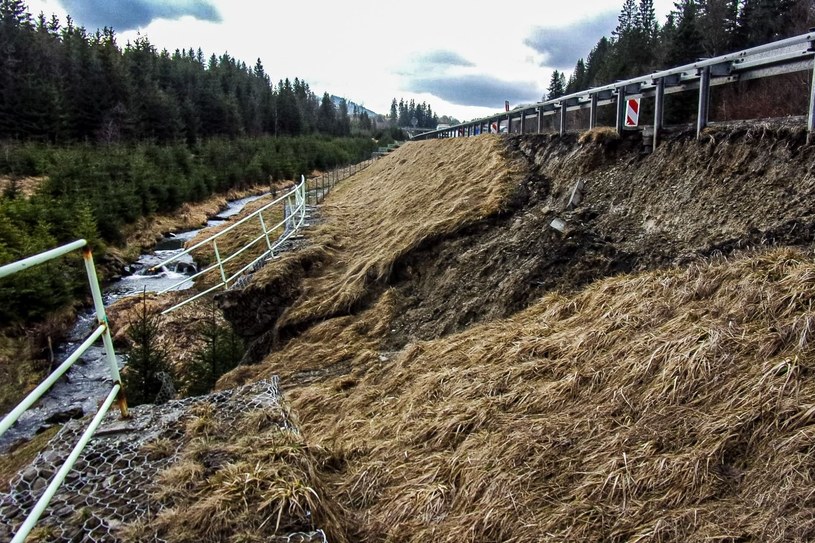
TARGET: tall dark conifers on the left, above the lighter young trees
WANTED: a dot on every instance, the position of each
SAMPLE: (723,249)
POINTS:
(64,84)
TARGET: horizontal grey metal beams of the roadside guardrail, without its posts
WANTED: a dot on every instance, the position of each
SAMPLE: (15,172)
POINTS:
(752,59)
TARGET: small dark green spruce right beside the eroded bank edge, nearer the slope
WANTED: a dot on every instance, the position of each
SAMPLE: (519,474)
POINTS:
(222,351)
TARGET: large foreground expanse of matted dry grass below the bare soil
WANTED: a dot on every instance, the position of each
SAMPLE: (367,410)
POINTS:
(668,406)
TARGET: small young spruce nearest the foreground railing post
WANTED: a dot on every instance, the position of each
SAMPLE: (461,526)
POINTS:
(145,360)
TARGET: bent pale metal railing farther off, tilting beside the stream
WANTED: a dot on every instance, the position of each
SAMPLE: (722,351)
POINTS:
(294,206)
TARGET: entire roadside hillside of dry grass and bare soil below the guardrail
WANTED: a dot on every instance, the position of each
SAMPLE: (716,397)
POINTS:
(457,369)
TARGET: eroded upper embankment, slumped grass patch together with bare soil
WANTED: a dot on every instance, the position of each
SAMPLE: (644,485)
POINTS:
(389,237)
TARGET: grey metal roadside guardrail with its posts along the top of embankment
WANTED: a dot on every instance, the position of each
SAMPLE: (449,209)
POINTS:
(784,56)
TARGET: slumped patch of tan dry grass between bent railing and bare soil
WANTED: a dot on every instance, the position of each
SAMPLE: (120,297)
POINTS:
(420,192)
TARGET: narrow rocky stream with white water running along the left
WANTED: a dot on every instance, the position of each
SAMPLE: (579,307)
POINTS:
(88,381)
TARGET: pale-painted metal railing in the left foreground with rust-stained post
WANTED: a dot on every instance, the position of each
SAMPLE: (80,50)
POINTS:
(116,393)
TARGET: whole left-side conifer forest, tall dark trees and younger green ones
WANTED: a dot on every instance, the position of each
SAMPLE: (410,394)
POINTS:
(120,132)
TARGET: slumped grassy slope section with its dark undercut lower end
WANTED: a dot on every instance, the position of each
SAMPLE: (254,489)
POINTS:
(423,192)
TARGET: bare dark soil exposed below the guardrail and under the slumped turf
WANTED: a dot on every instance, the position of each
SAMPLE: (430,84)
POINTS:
(732,190)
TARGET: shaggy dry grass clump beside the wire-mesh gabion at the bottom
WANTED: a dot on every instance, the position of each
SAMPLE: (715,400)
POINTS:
(261,482)
